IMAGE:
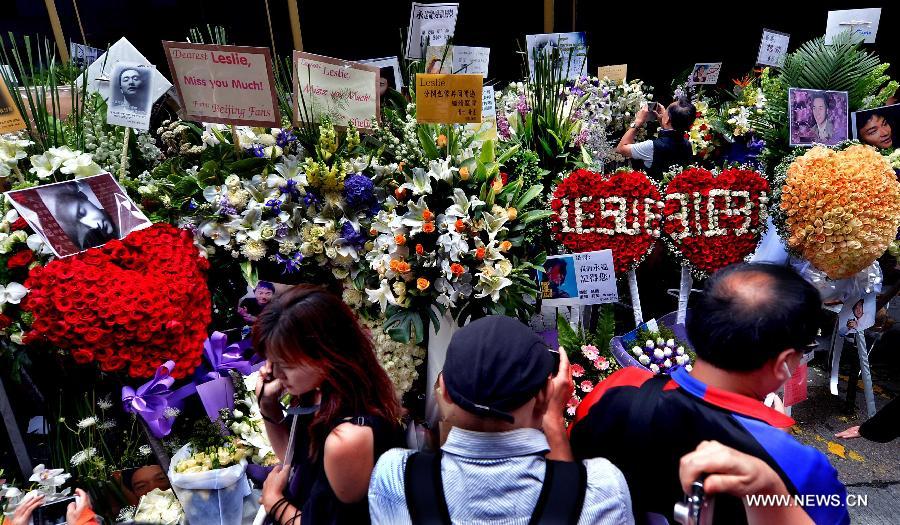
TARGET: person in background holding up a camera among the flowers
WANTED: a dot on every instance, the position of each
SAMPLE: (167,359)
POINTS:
(671,147)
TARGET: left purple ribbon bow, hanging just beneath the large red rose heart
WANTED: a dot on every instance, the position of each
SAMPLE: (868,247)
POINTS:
(151,400)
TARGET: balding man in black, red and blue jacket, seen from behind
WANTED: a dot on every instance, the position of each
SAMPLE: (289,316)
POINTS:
(749,330)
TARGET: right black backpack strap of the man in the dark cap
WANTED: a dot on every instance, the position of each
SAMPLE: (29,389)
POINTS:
(562,495)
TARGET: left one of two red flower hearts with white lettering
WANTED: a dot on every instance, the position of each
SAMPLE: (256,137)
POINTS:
(620,212)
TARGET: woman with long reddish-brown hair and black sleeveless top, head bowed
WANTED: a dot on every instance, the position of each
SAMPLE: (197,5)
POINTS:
(345,410)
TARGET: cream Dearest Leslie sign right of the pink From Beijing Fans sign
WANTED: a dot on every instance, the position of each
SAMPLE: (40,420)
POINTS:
(346,92)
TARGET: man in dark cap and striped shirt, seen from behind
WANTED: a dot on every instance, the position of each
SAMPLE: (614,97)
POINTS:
(503,391)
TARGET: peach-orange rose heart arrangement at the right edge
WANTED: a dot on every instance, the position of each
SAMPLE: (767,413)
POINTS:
(842,208)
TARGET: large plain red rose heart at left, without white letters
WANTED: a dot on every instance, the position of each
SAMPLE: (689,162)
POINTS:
(128,305)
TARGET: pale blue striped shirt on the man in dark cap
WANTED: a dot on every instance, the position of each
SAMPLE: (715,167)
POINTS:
(496,478)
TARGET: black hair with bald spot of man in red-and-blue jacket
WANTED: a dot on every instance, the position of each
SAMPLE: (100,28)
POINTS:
(738,325)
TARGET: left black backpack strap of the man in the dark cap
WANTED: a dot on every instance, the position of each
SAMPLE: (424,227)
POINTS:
(424,489)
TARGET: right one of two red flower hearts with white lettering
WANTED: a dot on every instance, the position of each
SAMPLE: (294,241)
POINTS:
(712,220)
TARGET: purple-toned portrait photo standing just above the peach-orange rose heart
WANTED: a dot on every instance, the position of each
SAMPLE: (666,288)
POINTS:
(817,117)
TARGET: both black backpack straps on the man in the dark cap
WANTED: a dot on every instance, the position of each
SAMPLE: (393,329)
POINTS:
(560,502)
